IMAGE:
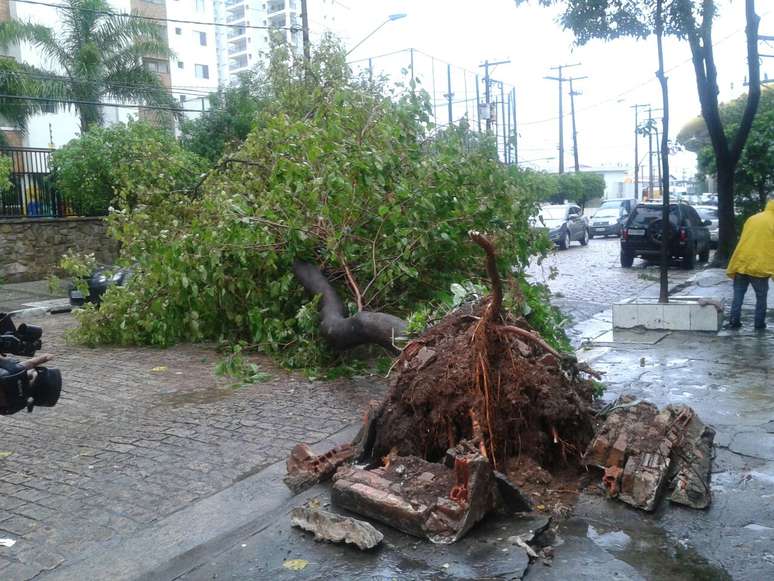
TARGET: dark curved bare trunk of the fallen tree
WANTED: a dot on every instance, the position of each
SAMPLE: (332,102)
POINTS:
(343,332)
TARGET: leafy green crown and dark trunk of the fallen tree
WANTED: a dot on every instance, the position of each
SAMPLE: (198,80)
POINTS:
(343,187)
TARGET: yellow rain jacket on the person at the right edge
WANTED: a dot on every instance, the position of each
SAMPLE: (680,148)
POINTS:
(754,255)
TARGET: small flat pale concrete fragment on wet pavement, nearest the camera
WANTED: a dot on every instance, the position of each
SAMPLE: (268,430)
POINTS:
(329,526)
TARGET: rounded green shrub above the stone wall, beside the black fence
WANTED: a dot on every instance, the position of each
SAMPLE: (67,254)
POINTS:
(134,159)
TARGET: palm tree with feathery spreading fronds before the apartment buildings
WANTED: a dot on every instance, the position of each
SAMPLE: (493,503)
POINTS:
(97,55)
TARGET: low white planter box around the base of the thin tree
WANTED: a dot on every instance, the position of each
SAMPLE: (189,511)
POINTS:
(680,314)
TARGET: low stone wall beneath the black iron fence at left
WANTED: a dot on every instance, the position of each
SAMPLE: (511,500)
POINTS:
(31,248)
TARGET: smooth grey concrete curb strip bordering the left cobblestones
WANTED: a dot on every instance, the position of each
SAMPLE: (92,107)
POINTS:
(180,542)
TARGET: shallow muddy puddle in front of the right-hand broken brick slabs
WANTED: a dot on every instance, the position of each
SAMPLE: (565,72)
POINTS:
(649,550)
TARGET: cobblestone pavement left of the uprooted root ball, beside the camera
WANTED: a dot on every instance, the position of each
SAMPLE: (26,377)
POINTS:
(139,434)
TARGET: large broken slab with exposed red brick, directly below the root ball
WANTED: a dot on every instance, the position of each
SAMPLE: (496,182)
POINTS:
(421,498)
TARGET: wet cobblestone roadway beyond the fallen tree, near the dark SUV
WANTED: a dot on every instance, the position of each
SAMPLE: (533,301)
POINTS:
(591,278)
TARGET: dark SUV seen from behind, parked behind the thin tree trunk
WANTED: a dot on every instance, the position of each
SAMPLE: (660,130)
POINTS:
(642,233)
